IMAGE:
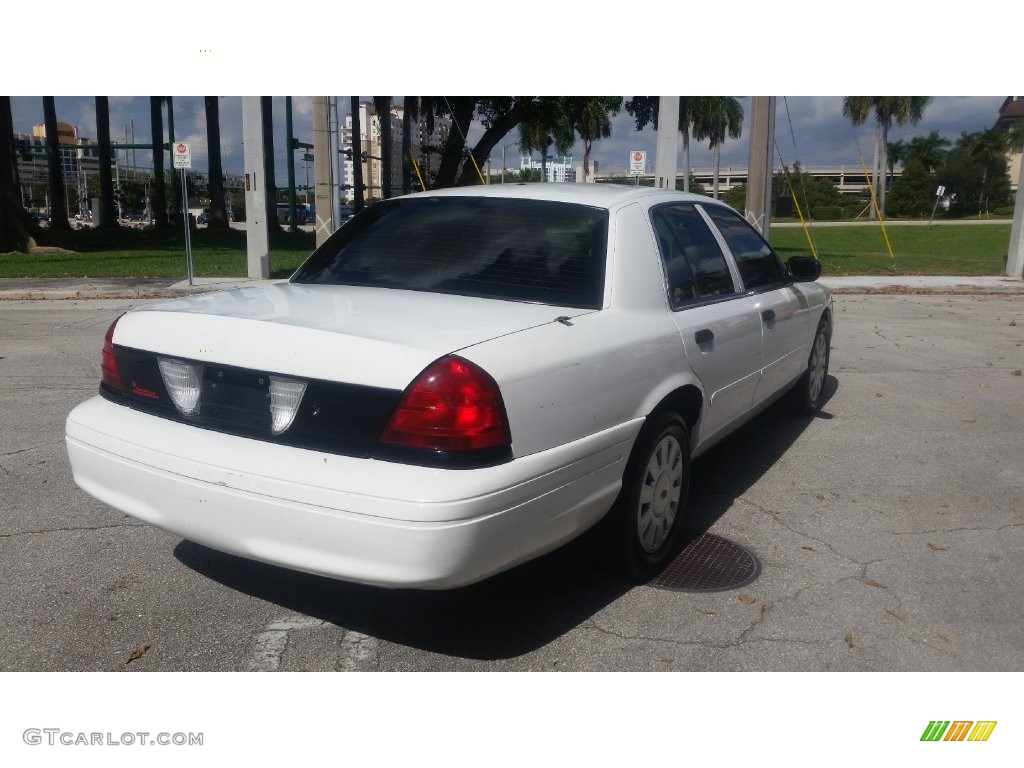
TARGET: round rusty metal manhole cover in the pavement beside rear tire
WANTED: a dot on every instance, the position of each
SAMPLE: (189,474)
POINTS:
(709,564)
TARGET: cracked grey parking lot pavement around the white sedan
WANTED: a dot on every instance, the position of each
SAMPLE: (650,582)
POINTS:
(890,531)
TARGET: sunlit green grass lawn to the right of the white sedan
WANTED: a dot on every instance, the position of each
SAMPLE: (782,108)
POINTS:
(948,249)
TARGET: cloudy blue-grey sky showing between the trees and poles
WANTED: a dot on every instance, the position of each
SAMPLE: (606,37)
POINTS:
(821,135)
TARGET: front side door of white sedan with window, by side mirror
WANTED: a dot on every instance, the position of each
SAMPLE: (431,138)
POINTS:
(783,310)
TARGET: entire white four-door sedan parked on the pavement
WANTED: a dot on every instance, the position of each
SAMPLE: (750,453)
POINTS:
(457,382)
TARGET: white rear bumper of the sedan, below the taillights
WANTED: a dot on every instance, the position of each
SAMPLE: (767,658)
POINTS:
(357,520)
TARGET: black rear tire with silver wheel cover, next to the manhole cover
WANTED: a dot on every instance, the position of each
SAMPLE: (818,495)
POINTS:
(646,524)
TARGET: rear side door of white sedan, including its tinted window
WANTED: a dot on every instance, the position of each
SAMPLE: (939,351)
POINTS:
(719,327)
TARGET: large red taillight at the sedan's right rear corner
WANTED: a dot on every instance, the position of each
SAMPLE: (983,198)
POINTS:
(452,407)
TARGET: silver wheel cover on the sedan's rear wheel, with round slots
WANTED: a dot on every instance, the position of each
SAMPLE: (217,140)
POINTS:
(661,490)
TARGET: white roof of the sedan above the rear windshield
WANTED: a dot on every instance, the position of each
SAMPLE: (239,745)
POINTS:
(603,196)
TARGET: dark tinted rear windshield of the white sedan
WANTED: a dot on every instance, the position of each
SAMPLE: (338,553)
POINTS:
(521,250)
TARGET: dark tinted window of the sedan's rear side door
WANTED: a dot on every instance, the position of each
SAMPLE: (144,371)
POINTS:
(695,267)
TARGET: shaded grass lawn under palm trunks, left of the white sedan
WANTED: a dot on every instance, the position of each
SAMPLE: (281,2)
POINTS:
(142,253)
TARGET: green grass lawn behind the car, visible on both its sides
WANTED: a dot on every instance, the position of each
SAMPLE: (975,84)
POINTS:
(949,249)
